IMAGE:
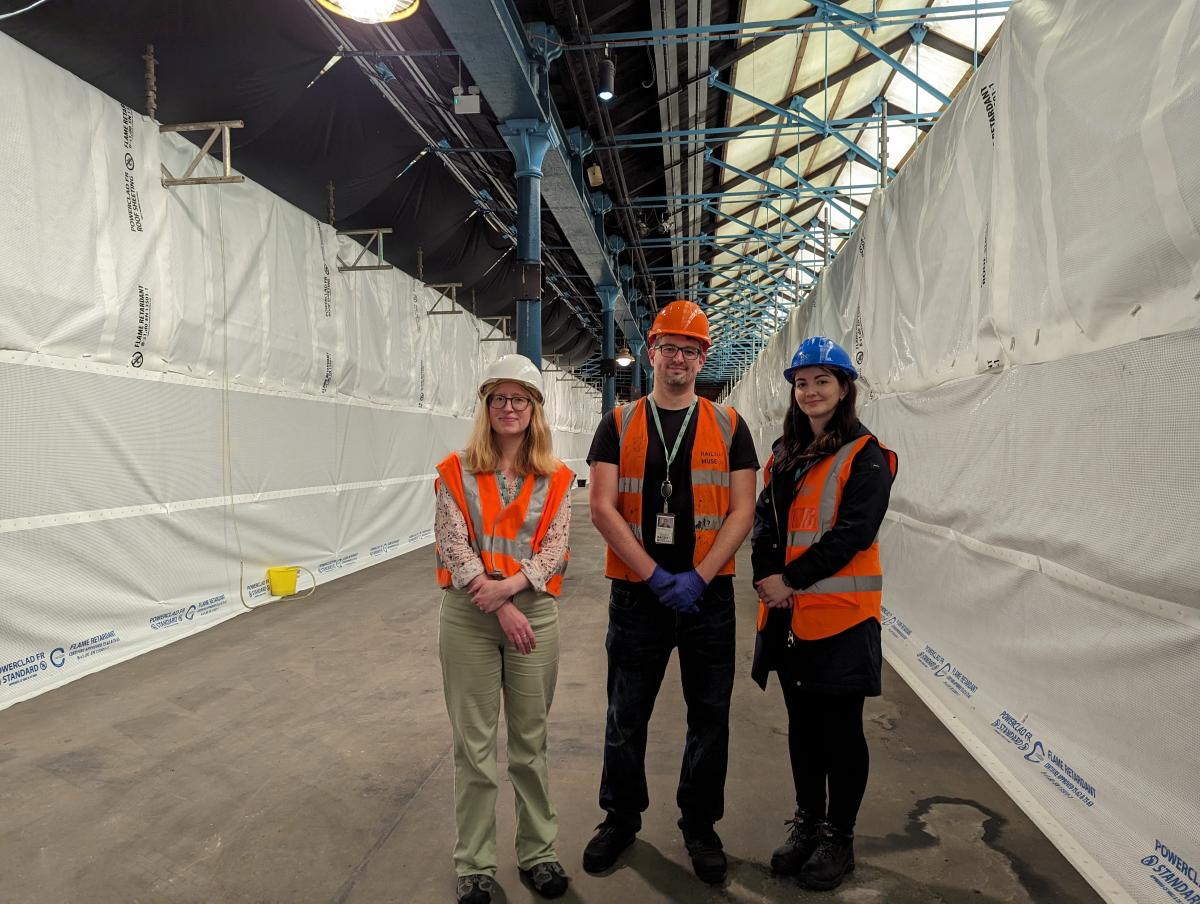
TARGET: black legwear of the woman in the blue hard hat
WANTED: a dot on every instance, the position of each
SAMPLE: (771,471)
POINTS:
(829,750)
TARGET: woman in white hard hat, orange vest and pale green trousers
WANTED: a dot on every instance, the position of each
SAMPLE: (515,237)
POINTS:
(503,517)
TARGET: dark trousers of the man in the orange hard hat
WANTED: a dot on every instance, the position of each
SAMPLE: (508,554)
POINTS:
(641,636)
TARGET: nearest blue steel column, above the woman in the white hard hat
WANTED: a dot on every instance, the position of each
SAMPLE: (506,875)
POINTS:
(530,140)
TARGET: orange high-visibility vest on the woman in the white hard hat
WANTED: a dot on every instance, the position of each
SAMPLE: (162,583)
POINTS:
(505,535)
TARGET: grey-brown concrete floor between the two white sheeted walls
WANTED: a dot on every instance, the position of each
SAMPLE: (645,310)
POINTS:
(302,753)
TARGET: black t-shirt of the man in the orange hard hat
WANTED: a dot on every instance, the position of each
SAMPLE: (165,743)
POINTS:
(607,447)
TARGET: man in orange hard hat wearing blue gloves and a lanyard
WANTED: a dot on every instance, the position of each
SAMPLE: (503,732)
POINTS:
(673,492)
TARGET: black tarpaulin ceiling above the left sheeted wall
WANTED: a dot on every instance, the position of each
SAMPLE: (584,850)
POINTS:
(260,62)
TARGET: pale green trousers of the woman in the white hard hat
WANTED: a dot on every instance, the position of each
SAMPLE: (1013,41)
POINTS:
(478,667)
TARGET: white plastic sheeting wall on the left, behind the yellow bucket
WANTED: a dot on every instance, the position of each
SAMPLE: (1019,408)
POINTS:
(194,392)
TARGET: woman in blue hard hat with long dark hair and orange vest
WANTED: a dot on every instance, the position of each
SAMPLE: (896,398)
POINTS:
(817,567)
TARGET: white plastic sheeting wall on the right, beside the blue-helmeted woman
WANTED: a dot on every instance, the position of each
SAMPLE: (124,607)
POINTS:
(1023,303)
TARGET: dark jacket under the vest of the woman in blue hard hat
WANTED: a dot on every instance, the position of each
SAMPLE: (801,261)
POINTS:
(850,662)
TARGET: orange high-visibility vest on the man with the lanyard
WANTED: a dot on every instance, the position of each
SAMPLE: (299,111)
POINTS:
(716,426)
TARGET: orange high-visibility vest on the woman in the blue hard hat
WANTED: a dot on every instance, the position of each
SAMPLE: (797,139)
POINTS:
(856,592)
